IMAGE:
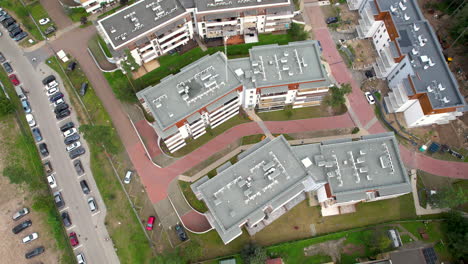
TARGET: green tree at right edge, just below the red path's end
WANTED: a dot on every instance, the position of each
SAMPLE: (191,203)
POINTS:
(449,198)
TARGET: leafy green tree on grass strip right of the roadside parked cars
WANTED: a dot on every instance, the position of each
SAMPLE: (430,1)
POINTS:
(100,136)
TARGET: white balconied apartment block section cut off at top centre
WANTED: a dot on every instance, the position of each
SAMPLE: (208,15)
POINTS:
(226,18)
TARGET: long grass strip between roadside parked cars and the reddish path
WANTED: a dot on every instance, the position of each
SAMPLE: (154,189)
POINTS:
(130,242)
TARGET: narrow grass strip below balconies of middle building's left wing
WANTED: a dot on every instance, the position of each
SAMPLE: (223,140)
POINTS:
(209,135)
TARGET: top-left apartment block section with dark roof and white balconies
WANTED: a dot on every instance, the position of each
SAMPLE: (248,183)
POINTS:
(147,28)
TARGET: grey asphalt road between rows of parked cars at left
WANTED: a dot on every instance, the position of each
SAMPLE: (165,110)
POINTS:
(92,233)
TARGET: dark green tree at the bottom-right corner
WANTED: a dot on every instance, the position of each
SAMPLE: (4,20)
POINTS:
(456,231)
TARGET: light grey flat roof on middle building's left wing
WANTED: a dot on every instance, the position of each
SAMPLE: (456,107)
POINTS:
(194,87)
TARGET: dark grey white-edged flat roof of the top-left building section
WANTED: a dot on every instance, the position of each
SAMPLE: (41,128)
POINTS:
(138,19)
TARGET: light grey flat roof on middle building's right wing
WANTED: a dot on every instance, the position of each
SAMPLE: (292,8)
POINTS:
(273,65)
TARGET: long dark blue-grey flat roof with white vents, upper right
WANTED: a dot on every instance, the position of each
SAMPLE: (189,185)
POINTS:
(418,40)
